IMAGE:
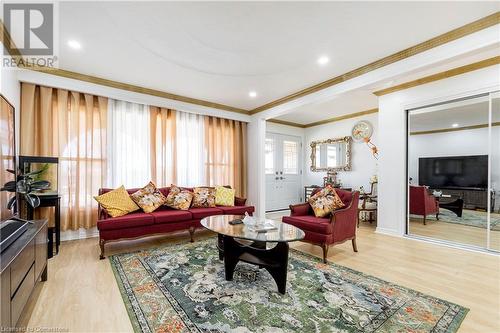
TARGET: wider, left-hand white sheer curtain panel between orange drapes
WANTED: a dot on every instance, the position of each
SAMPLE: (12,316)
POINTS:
(129,147)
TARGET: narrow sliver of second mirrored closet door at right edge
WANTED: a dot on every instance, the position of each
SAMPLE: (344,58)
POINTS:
(495,172)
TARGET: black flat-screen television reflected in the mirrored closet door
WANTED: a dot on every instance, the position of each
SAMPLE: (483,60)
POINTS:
(454,172)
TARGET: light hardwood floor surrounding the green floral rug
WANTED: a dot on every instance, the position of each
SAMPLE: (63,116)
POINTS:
(81,294)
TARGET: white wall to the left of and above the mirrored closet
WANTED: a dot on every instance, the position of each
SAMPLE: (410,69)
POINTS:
(392,137)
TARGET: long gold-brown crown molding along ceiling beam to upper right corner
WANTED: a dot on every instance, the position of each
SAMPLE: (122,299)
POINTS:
(447,37)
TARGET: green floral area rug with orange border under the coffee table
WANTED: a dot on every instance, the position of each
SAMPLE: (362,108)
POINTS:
(181,288)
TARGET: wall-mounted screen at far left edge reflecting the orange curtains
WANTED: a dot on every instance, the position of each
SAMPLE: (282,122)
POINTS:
(7,154)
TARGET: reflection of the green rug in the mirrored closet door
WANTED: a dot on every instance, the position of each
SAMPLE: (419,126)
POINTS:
(469,217)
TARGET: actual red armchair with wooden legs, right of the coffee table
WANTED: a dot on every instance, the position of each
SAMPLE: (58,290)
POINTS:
(339,227)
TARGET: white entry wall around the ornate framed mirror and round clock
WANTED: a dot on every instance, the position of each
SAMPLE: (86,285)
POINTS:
(364,165)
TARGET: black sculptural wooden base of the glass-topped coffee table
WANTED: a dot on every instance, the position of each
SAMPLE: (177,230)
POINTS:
(274,260)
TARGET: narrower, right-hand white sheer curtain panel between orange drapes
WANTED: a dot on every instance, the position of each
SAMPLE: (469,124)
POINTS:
(190,149)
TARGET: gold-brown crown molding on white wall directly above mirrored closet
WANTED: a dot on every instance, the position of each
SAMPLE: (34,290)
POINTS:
(440,76)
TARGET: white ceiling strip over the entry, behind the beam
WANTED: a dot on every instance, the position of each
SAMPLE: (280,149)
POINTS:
(364,99)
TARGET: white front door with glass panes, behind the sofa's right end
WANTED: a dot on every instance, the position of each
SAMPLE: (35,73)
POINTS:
(283,171)
